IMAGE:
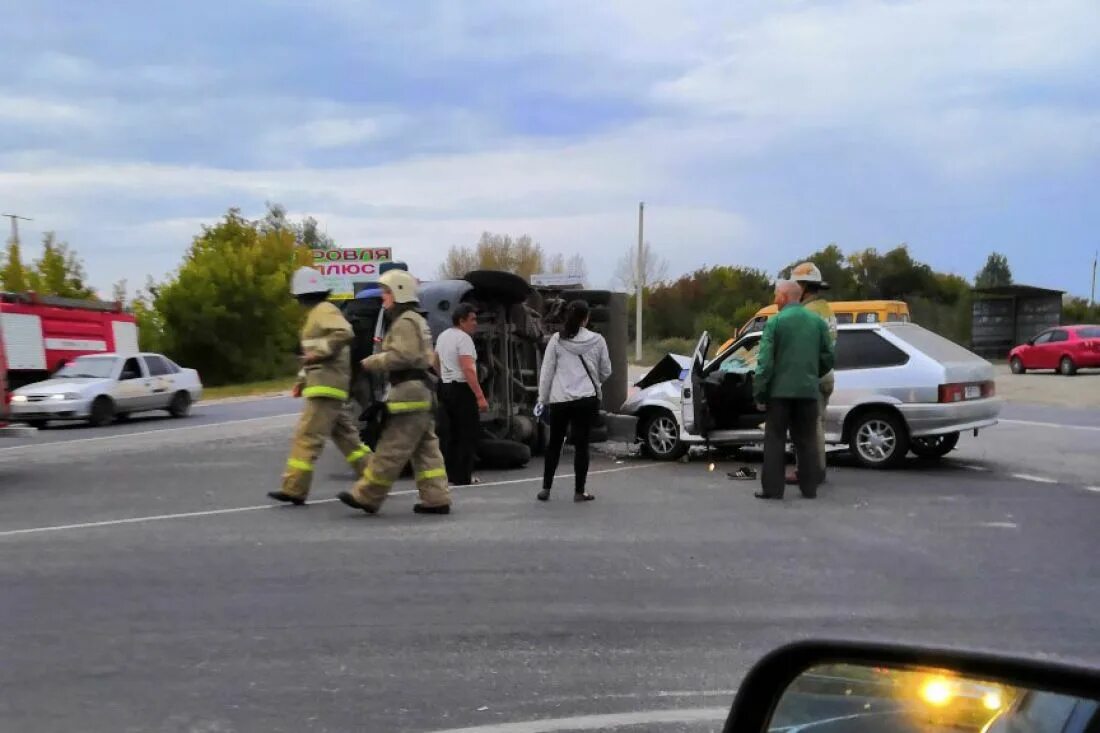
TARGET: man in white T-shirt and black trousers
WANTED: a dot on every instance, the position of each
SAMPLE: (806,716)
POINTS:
(461,395)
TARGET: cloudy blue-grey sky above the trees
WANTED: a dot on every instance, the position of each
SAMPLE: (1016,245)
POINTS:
(754,132)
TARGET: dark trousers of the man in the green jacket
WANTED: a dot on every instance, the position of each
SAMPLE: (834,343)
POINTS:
(800,418)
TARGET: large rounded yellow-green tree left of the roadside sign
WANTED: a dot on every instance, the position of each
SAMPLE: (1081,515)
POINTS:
(227,312)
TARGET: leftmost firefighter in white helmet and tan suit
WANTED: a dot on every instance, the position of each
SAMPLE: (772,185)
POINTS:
(324,382)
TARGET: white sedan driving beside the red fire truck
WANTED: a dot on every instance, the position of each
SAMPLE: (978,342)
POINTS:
(101,388)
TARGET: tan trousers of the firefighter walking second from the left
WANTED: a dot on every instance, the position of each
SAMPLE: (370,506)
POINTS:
(406,437)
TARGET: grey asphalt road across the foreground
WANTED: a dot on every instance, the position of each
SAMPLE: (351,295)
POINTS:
(149,586)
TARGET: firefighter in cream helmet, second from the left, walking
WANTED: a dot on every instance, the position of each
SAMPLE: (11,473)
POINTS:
(409,432)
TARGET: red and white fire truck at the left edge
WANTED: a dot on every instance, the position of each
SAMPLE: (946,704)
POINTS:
(40,334)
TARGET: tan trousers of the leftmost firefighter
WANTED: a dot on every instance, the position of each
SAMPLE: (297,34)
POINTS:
(322,419)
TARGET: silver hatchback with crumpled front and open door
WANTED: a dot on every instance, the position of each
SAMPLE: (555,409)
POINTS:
(899,389)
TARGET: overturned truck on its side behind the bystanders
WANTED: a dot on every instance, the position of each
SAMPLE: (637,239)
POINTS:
(515,322)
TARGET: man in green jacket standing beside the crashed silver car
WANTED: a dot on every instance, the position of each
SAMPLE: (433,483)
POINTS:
(796,352)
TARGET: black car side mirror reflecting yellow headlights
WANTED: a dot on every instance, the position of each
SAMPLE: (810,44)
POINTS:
(821,687)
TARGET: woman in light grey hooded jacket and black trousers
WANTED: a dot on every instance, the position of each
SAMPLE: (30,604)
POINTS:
(575,367)
